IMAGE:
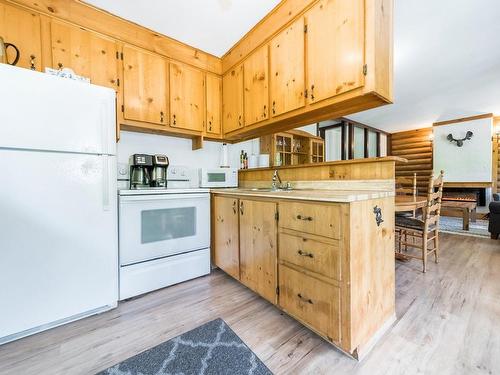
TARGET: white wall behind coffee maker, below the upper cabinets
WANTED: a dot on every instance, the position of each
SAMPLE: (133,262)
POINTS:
(179,150)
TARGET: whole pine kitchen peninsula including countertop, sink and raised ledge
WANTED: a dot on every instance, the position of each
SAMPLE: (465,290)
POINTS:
(322,251)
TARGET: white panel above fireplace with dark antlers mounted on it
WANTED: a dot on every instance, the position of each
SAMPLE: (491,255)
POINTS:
(469,163)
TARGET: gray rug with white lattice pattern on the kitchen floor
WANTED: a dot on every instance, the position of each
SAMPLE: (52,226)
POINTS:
(210,349)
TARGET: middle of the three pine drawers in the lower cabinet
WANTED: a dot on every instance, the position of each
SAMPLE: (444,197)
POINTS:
(319,257)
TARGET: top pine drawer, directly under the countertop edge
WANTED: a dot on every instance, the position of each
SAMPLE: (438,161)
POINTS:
(323,220)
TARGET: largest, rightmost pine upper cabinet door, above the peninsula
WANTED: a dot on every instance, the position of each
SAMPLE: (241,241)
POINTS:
(335,48)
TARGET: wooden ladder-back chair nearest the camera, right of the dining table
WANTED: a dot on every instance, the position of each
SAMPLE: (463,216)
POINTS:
(423,231)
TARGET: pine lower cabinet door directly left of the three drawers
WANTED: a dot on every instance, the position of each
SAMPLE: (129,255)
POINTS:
(258,239)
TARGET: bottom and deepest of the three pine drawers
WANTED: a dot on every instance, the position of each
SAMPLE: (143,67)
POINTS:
(314,302)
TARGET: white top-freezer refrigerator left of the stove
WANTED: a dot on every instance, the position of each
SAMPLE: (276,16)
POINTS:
(58,201)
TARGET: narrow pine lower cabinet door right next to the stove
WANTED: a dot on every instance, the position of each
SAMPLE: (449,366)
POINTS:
(226,236)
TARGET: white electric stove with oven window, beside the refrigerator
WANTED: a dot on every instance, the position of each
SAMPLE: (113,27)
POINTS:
(164,234)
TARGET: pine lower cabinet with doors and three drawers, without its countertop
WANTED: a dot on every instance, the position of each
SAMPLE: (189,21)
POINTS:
(333,269)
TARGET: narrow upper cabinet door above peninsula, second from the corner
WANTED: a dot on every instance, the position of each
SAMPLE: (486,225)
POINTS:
(256,87)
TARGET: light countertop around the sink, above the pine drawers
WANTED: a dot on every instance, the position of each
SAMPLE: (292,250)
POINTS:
(318,195)
